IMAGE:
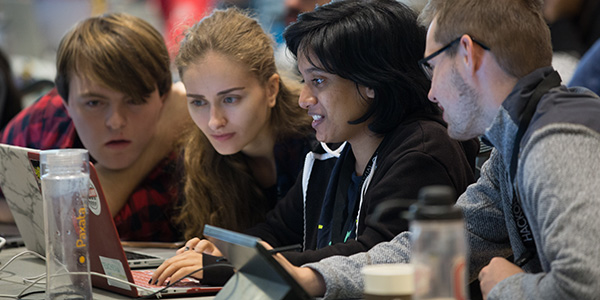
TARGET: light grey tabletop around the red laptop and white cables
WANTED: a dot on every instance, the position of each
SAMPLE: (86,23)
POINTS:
(11,278)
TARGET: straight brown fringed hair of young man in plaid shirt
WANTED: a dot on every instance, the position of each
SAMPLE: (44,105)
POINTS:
(119,51)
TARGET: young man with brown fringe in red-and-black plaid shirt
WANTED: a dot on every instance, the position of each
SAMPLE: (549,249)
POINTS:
(114,96)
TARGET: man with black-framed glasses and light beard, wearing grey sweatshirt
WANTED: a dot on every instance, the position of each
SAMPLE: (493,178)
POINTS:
(536,200)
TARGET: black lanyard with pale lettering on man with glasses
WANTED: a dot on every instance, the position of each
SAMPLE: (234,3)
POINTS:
(551,81)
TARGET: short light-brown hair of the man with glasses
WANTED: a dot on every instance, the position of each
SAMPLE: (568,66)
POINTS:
(514,30)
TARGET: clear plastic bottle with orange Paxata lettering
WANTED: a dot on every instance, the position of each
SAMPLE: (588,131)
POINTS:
(65,188)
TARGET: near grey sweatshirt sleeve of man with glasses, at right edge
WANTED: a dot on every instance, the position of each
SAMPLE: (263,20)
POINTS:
(559,180)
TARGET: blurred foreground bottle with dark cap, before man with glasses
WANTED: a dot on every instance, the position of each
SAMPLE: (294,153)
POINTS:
(438,245)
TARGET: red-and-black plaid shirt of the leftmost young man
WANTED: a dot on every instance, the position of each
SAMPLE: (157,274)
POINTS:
(148,214)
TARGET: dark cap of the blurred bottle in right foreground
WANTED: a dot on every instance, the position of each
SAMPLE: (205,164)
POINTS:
(435,203)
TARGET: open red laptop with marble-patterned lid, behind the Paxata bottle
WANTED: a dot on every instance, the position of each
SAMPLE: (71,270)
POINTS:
(21,185)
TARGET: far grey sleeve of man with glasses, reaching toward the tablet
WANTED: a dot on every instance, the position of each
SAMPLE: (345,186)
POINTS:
(487,237)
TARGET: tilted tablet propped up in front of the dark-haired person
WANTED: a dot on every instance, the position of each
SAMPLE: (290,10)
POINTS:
(258,275)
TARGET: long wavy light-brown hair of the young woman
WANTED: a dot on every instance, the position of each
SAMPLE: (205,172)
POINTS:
(221,190)
